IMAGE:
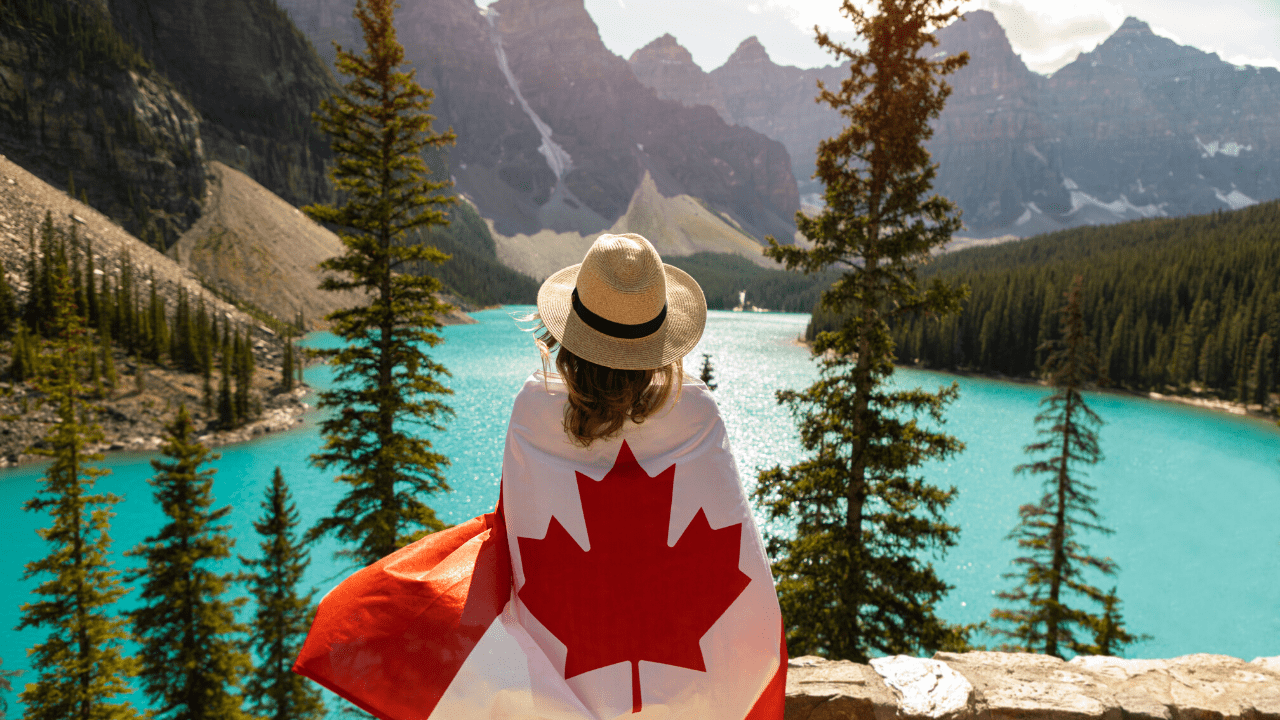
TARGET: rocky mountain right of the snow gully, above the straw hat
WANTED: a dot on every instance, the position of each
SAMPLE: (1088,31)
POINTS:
(610,130)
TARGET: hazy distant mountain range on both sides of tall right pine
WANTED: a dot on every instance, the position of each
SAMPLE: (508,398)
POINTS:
(1139,127)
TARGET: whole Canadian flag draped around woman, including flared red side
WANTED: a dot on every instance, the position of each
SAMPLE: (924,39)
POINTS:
(623,580)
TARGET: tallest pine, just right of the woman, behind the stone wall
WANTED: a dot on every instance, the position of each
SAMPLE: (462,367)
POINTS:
(852,580)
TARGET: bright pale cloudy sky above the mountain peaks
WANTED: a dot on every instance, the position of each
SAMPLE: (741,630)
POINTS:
(1048,34)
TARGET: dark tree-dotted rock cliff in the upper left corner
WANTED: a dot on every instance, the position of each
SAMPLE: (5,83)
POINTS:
(80,107)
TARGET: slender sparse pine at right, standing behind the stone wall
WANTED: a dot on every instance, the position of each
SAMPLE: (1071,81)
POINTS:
(1044,614)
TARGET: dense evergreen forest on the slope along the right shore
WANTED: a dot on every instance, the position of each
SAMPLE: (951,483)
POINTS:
(1187,306)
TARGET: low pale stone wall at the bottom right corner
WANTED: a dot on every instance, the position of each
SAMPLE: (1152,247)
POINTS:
(1000,686)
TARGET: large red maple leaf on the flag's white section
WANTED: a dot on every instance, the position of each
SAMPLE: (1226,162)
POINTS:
(632,598)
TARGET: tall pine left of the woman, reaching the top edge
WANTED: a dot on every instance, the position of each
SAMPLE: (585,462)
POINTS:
(387,388)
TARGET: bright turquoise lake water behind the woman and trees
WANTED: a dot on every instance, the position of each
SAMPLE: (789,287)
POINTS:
(1194,495)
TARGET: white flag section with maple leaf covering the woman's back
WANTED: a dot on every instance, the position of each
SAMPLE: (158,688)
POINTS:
(638,569)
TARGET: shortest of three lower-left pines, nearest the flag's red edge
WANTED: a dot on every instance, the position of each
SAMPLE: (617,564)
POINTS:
(284,617)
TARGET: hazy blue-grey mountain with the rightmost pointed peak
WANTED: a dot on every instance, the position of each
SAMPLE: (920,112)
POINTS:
(1173,129)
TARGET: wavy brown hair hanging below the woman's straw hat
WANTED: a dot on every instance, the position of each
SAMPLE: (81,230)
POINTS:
(602,399)
